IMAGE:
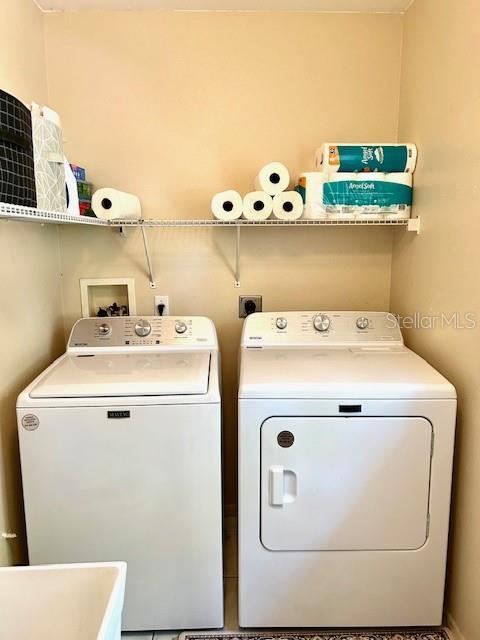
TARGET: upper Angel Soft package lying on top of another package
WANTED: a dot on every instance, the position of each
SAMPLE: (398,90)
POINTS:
(333,157)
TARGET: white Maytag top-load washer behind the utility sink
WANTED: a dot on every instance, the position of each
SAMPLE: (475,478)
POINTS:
(121,460)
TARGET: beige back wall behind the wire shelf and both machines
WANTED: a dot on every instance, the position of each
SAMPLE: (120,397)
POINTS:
(176,106)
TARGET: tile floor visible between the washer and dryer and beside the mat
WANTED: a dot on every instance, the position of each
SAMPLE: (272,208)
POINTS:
(230,569)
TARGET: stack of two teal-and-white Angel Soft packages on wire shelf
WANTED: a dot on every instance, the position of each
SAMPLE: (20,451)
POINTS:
(359,180)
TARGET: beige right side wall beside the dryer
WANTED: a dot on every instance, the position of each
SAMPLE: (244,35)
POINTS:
(438,271)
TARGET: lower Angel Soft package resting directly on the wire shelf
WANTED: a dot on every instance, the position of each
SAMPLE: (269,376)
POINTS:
(354,195)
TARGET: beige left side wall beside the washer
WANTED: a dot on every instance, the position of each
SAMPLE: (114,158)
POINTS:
(30,296)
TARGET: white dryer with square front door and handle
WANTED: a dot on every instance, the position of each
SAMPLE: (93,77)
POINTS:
(345,462)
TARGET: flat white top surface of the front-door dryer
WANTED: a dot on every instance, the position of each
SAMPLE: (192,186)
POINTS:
(342,372)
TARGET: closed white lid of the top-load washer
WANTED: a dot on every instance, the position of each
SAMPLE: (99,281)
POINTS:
(111,375)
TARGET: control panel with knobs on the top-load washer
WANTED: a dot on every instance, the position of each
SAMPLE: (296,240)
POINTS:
(143,331)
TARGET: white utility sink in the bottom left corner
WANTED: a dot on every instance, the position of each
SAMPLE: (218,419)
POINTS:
(66,601)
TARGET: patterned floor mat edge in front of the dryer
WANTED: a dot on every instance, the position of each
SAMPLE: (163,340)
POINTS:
(424,634)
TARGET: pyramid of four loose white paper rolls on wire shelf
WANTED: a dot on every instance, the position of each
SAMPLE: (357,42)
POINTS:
(271,195)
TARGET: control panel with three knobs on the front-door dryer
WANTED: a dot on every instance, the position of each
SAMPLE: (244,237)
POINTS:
(321,327)
